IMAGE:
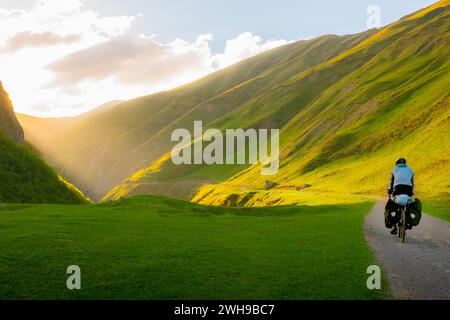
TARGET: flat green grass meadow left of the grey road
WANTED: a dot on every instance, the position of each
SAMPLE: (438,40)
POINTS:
(150,247)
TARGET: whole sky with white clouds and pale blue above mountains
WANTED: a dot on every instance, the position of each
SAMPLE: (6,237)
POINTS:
(65,57)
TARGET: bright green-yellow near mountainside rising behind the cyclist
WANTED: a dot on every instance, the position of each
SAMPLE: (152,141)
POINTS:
(343,121)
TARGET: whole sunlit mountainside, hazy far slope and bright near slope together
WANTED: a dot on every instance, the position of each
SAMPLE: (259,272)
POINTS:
(346,108)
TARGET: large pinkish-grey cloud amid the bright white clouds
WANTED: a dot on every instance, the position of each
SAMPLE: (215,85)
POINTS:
(135,61)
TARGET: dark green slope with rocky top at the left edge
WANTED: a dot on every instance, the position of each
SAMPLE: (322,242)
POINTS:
(24,178)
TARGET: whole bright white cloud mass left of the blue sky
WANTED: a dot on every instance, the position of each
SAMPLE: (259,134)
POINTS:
(59,58)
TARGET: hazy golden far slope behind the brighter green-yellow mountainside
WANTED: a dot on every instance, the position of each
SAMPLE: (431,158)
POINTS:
(104,149)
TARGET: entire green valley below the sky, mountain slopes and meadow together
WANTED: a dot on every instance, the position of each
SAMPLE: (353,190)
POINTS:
(290,207)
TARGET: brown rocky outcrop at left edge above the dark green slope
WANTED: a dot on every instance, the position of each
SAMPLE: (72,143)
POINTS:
(8,121)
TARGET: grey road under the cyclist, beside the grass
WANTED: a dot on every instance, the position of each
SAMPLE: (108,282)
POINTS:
(418,268)
